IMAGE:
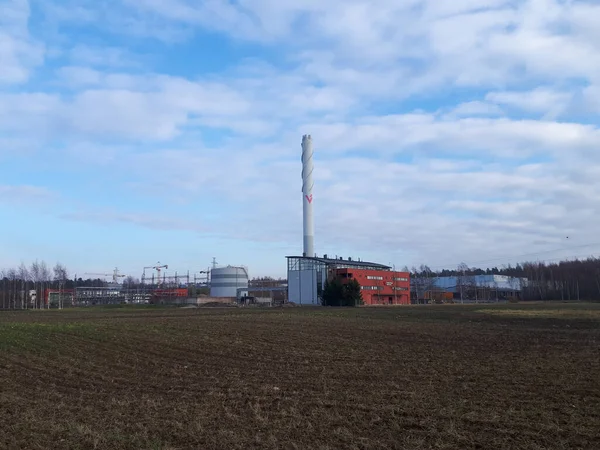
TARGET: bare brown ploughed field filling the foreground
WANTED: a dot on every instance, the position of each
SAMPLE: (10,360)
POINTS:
(518,376)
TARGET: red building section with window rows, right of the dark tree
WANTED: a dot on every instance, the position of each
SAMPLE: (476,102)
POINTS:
(378,287)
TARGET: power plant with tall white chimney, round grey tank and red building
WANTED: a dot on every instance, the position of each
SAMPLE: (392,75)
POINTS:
(306,274)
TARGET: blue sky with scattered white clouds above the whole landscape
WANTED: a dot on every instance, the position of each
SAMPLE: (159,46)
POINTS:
(138,131)
